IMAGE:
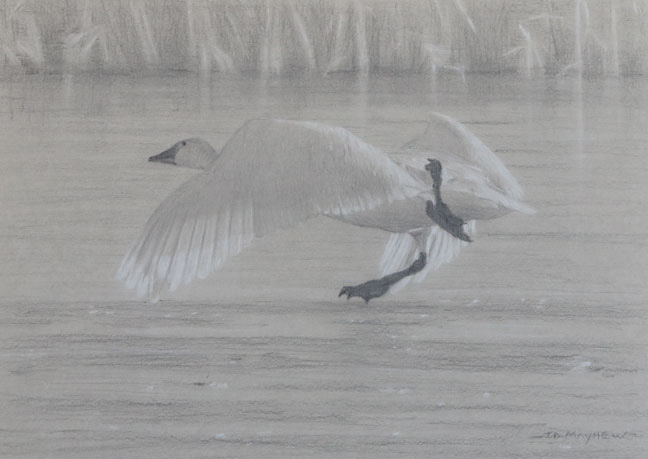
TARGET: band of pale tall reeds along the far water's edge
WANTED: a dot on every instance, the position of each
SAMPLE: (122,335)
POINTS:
(598,37)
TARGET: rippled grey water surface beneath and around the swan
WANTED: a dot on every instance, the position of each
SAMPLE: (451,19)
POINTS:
(531,343)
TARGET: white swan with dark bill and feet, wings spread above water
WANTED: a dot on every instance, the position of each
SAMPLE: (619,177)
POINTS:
(273,174)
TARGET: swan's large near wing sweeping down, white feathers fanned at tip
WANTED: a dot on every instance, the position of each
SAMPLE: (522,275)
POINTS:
(271,174)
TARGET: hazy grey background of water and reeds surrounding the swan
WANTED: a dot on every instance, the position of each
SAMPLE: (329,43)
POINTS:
(531,343)
